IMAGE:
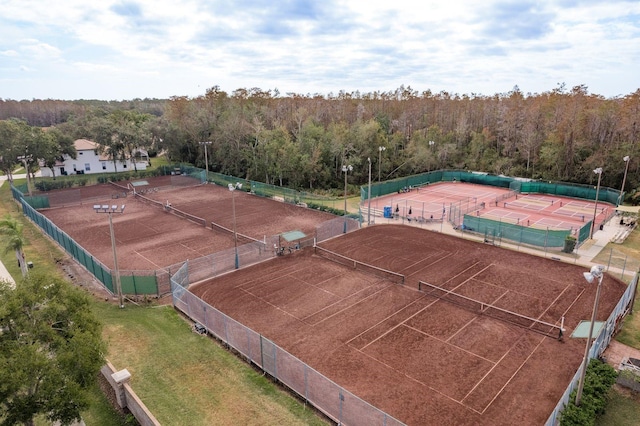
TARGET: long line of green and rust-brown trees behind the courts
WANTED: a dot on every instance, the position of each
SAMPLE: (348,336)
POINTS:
(302,141)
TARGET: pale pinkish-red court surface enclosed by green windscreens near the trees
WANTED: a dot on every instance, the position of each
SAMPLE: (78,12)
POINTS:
(540,211)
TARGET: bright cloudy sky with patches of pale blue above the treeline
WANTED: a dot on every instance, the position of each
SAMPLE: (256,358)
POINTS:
(112,50)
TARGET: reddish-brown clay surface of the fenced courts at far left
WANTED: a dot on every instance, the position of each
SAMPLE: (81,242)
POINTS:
(149,238)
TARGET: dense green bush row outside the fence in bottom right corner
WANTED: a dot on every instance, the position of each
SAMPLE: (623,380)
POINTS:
(599,379)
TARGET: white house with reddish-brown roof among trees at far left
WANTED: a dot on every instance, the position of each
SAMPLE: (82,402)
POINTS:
(90,160)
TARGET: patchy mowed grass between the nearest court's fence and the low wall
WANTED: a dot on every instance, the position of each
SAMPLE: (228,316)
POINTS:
(185,378)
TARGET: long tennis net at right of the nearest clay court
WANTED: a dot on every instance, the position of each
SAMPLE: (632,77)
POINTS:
(483,308)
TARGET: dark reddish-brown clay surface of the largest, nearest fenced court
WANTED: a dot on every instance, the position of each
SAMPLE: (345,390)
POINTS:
(421,359)
